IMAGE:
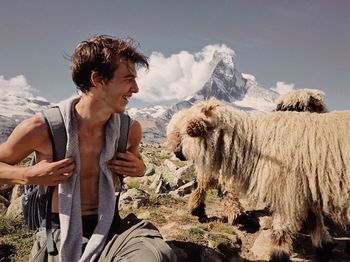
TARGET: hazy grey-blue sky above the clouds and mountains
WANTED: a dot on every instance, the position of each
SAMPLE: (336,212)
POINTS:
(302,43)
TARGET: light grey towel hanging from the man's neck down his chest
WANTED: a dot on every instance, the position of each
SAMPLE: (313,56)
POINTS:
(69,192)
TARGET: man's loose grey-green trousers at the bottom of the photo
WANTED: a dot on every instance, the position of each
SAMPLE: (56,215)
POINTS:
(131,239)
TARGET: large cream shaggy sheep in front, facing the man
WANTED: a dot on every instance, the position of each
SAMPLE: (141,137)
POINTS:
(297,163)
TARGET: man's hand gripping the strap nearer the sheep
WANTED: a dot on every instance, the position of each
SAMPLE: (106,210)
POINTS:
(127,164)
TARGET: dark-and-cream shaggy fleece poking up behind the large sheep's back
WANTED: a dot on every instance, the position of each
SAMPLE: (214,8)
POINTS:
(302,100)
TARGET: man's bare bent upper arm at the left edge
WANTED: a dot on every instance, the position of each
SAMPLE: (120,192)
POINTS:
(30,135)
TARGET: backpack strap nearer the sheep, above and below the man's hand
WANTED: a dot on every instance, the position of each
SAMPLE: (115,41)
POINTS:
(121,147)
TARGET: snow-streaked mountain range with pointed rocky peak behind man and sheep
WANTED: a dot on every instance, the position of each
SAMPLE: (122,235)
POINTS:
(225,83)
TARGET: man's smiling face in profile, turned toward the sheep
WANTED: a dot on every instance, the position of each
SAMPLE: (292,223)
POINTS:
(122,85)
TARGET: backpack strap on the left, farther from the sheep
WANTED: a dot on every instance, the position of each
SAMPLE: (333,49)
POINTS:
(58,136)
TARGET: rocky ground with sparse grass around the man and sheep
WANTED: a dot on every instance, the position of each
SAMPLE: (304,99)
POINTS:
(161,197)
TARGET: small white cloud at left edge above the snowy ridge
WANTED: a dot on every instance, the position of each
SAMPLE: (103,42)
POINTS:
(17,86)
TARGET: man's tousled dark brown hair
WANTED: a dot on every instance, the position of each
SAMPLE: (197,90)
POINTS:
(101,54)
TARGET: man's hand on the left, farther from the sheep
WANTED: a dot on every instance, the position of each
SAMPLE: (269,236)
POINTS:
(46,173)
